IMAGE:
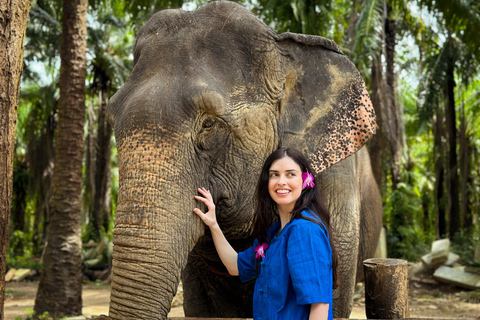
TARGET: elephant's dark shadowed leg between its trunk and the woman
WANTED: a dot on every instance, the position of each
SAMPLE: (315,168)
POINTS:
(210,294)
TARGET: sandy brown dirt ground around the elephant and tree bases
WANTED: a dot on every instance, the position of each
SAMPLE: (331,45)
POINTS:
(427,299)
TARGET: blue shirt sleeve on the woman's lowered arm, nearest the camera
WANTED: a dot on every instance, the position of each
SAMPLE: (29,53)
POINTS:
(310,263)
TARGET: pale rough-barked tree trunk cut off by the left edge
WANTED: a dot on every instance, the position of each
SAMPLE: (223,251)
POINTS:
(13,23)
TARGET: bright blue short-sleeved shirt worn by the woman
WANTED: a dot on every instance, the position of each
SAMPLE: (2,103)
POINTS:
(296,271)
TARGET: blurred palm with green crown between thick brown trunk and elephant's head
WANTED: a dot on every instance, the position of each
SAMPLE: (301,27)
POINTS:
(109,68)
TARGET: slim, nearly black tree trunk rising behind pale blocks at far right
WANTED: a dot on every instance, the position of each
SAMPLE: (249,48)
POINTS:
(452,168)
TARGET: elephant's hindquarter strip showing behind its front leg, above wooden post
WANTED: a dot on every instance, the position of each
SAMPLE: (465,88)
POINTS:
(371,212)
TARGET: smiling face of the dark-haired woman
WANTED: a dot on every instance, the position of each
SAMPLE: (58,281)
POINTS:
(285,183)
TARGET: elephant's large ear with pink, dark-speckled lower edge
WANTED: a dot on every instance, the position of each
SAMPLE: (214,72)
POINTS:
(326,107)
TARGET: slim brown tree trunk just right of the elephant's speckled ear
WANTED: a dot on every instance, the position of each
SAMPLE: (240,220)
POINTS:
(394,129)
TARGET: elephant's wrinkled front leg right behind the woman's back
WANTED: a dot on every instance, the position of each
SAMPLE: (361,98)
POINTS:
(340,192)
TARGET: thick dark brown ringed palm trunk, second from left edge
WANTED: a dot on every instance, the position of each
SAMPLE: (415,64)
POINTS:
(60,286)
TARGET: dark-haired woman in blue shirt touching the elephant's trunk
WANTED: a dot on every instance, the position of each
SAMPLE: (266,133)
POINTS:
(292,259)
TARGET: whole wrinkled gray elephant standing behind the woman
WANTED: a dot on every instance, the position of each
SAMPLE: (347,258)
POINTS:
(212,94)
